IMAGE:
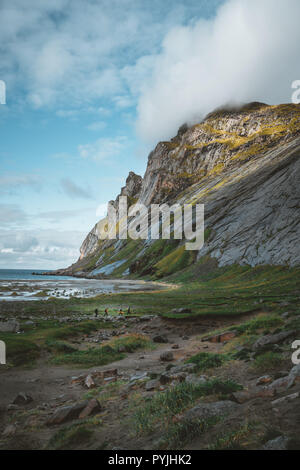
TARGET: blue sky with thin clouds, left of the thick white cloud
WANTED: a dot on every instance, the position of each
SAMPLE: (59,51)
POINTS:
(68,136)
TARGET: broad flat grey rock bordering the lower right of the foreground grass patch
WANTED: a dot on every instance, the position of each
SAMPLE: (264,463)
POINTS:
(209,410)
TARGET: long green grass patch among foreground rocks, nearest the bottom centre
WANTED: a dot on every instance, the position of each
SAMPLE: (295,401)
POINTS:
(162,406)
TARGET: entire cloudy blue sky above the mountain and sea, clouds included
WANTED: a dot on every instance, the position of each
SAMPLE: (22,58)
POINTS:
(93,85)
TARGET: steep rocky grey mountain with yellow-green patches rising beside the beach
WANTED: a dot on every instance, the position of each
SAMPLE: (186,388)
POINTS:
(243,164)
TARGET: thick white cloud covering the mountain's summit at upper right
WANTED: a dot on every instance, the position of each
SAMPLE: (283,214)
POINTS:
(249,51)
